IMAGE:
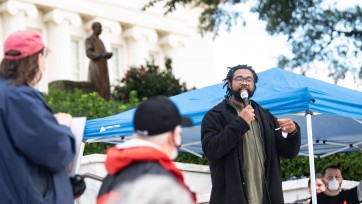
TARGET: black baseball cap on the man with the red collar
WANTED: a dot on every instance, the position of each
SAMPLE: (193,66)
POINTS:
(158,115)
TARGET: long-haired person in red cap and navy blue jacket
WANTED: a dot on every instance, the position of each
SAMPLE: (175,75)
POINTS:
(36,146)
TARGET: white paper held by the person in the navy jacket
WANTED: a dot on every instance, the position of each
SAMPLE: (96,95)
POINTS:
(77,128)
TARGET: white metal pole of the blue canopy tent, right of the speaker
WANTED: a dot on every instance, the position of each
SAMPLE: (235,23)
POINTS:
(308,116)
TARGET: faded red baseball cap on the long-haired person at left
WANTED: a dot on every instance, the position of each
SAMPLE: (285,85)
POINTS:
(26,42)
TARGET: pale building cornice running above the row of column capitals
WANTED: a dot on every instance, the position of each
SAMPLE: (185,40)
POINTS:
(125,13)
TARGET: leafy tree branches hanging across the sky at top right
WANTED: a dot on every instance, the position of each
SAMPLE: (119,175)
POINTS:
(315,31)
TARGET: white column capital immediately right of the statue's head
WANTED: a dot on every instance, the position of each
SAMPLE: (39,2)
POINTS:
(138,33)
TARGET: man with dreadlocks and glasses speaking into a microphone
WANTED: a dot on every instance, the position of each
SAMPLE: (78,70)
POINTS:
(243,143)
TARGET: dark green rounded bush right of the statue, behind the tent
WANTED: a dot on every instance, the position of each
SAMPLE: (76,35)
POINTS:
(149,81)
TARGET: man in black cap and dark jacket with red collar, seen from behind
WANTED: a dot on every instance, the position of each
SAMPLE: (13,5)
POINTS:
(157,124)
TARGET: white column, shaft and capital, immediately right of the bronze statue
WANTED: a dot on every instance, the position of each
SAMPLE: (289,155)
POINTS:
(138,40)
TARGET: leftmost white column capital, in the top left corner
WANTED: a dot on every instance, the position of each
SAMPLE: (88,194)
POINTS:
(16,7)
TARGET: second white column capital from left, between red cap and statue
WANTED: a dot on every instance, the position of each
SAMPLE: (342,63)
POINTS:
(60,17)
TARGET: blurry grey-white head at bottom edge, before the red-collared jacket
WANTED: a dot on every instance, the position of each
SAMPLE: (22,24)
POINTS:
(152,188)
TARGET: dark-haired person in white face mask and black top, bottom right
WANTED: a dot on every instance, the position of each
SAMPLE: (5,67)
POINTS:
(333,194)
